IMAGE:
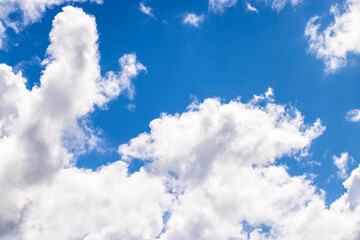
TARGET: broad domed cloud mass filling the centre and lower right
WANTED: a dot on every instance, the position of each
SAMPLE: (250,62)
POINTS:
(220,159)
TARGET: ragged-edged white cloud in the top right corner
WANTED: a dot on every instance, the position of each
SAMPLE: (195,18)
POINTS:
(339,39)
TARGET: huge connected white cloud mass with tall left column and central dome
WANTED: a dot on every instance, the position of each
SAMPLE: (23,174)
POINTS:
(211,172)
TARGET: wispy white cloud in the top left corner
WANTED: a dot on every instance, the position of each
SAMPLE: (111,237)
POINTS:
(30,11)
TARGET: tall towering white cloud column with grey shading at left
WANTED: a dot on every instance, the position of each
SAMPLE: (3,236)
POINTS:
(36,124)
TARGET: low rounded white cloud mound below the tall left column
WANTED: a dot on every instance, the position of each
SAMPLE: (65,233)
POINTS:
(102,204)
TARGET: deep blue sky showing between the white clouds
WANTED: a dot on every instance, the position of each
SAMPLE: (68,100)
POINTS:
(231,54)
